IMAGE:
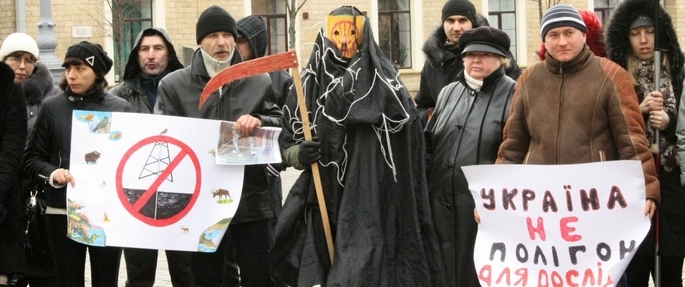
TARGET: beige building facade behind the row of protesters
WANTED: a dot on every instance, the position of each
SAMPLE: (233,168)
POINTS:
(400,26)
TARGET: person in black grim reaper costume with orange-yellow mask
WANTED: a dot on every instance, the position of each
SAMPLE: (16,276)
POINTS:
(371,157)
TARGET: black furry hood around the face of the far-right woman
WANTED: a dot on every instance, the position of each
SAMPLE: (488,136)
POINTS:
(618,43)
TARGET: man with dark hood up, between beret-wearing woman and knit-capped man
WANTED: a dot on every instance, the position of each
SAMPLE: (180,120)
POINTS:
(153,57)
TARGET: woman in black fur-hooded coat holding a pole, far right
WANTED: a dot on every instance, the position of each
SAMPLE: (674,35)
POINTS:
(631,35)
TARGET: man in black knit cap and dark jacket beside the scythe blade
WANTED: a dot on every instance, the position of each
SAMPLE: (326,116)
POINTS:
(250,103)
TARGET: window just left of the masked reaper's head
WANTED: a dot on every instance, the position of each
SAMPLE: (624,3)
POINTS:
(274,14)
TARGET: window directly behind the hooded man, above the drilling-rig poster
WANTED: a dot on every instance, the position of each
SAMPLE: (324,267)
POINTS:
(129,17)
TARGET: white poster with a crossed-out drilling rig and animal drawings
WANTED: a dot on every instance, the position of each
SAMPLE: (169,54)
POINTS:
(149,181)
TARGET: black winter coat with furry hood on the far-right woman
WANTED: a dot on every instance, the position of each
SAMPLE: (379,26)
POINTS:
(671,211)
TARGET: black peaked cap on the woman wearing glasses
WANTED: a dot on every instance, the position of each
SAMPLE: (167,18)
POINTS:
(485,39)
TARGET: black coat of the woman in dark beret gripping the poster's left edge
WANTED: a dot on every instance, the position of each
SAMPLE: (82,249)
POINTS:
(50,146)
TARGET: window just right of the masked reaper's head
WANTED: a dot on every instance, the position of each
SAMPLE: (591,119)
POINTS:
(394,31)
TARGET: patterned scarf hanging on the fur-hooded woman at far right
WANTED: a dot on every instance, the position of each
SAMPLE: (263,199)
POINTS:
(643,72)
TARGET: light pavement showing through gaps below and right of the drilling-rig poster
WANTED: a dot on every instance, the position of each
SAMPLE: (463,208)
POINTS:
(163,280)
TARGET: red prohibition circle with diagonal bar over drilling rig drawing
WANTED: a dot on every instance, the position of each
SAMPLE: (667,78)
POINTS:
(135,208)
